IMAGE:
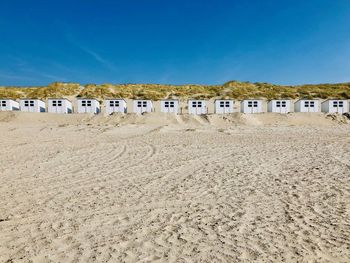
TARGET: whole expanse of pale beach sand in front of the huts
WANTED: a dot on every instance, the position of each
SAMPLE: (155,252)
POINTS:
(159,188)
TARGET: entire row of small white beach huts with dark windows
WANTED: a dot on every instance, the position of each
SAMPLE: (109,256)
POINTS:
(194,106)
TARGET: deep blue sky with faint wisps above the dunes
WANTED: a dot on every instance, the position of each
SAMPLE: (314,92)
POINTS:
(174,42)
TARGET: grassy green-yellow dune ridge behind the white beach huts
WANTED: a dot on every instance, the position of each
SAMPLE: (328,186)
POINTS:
(232,89)
